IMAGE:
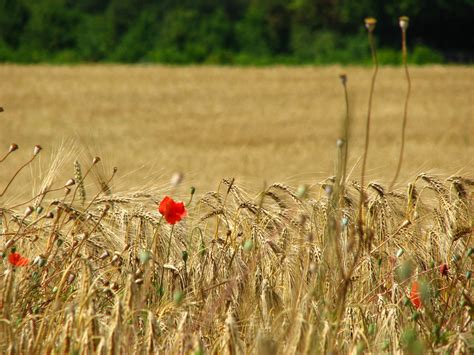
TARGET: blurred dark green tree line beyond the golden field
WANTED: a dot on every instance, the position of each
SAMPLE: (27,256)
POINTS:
(232,31)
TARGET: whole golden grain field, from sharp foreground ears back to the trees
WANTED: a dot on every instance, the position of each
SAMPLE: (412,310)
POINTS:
(279,251)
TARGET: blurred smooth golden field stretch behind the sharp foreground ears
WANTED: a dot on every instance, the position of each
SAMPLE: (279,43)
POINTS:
(254,124)
